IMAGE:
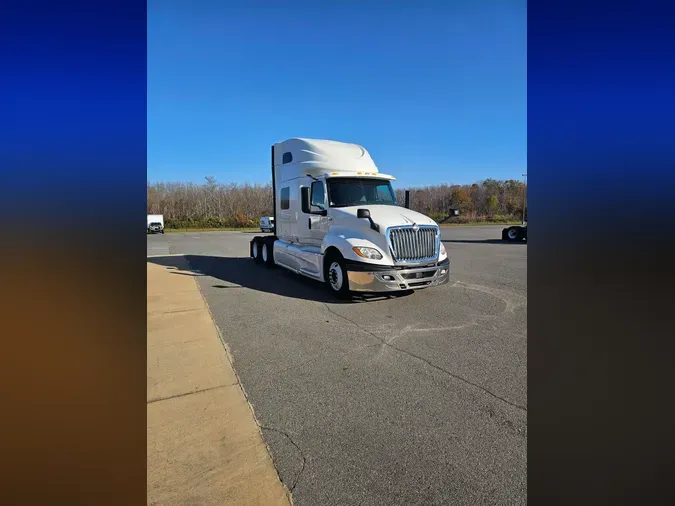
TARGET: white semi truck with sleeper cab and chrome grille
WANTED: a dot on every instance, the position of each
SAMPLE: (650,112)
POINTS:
(336,220)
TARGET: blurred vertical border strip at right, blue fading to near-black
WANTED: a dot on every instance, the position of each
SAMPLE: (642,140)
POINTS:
(601,166)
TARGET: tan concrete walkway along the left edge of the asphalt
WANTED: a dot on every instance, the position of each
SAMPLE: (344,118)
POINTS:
(204,443)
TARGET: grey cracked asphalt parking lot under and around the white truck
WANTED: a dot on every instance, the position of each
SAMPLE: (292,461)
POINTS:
(418,399)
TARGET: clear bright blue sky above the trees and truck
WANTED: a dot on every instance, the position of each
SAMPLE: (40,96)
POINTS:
(436,91)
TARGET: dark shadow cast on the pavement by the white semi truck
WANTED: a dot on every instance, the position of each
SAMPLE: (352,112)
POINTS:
(243,272)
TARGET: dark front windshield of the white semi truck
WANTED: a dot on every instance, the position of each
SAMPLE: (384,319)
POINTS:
(345,192)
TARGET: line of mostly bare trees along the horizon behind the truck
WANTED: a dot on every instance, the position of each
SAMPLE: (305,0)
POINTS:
(215,205)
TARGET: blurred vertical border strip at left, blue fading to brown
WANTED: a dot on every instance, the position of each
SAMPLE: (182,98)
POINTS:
(72,198)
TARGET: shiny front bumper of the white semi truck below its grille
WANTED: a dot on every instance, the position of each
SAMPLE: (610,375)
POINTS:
(369,278)
